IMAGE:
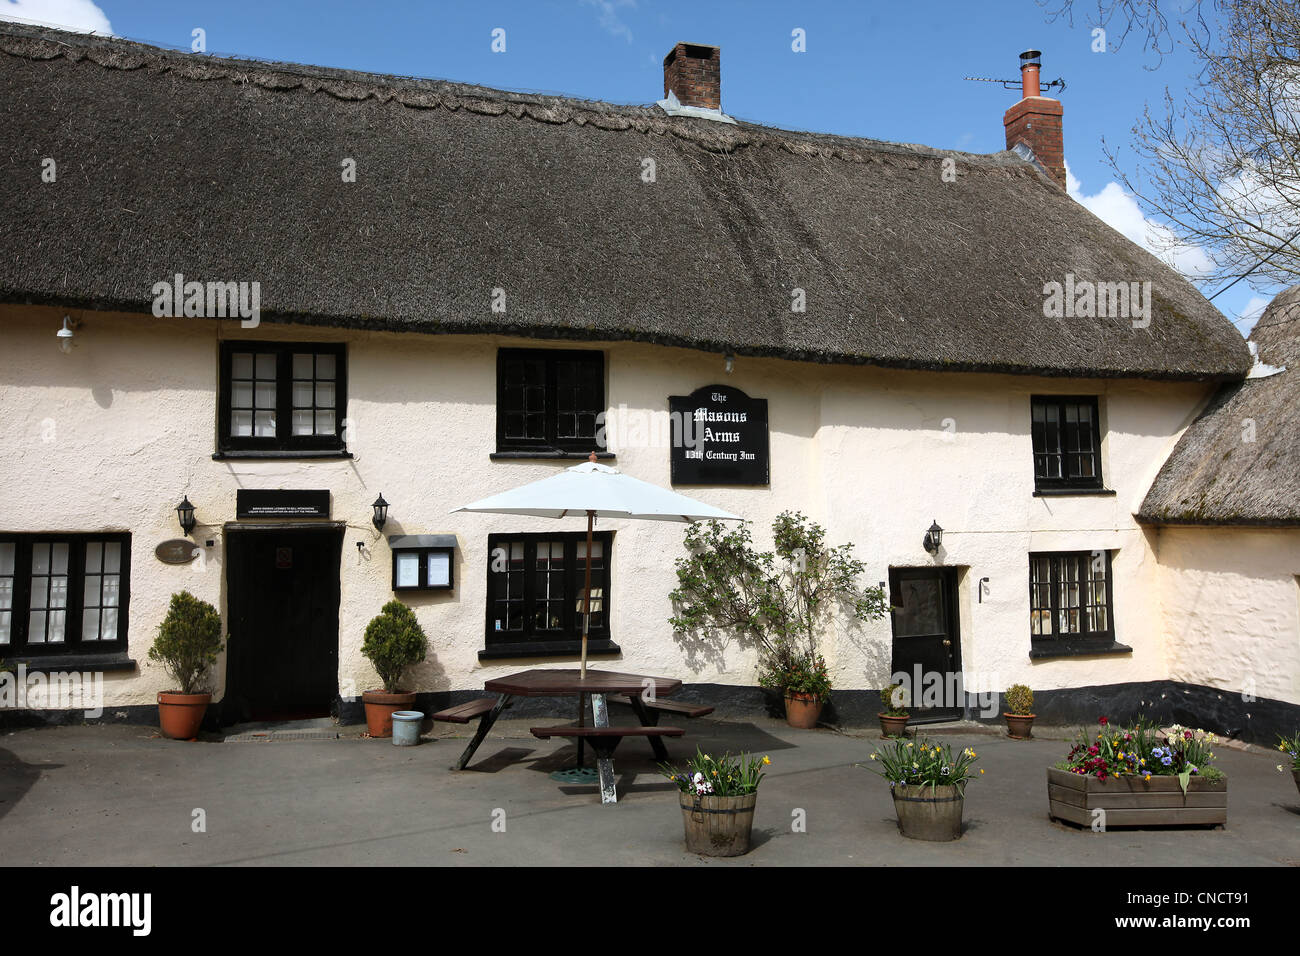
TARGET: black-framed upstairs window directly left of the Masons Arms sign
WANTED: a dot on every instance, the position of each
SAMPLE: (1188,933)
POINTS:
(549,400)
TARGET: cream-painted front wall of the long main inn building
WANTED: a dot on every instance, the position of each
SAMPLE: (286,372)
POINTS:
(111,436)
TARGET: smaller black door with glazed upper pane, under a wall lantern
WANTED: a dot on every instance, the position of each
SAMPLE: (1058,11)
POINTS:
(926,642)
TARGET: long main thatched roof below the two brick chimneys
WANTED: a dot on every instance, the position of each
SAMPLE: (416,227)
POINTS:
(231,171)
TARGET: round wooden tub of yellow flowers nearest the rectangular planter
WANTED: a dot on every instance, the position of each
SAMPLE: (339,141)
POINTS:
(929,786)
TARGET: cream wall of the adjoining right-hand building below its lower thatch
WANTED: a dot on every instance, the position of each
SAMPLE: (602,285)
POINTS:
(1230,602)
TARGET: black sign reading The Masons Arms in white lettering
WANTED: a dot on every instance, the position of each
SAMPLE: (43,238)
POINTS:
(720,438)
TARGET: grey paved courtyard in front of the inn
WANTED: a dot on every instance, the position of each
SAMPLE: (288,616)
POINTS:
(116,795)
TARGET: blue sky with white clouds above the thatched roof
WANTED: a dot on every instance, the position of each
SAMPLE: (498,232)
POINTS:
(873,68)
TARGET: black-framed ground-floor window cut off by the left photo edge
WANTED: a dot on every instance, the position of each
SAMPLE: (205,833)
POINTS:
(63,594)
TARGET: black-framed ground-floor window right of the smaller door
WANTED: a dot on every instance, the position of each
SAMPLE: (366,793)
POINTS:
(1071,596)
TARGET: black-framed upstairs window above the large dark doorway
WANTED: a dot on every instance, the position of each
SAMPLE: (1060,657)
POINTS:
(283,397)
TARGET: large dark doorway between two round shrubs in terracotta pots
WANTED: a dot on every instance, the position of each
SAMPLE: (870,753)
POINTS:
(284,594)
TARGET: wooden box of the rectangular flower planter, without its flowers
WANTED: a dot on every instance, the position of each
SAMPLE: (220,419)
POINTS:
(1134,802)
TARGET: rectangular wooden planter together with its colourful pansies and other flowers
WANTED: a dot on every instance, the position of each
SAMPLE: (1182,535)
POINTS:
(1139,776)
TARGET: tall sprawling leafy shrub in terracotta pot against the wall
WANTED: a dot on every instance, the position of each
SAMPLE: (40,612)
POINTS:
(775,602)
